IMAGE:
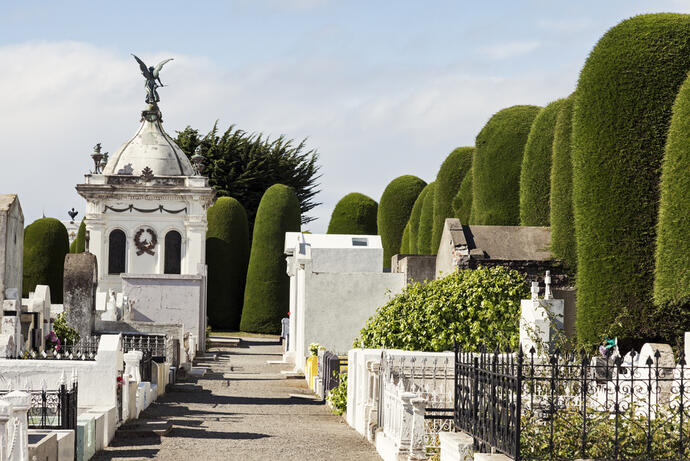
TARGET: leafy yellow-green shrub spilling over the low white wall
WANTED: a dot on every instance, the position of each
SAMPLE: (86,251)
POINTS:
(476,308)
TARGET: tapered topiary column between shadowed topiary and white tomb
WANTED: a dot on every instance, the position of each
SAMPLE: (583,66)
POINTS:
(266,296)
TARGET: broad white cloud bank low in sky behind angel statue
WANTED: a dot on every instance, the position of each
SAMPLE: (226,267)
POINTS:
(59,99)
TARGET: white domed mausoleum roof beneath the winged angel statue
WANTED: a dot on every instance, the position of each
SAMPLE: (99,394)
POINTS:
(150,147)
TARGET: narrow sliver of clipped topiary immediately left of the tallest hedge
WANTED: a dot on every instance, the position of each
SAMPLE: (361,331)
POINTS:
(561,196)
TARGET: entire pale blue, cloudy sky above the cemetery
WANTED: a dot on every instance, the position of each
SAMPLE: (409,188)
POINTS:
(379,88)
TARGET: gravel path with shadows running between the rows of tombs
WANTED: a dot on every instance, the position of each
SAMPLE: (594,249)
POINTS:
(241,410)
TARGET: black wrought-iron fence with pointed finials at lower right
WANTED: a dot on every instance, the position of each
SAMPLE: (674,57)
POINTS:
(571,406)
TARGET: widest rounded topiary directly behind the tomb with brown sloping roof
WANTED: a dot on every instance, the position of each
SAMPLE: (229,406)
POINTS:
(496,166)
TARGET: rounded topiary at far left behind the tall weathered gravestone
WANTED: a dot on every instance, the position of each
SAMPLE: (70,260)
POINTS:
(45,245)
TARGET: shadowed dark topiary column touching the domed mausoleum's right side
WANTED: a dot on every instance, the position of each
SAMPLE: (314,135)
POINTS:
(227,257)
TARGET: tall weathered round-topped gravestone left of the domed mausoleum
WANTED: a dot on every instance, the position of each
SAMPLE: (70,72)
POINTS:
(79,291)
